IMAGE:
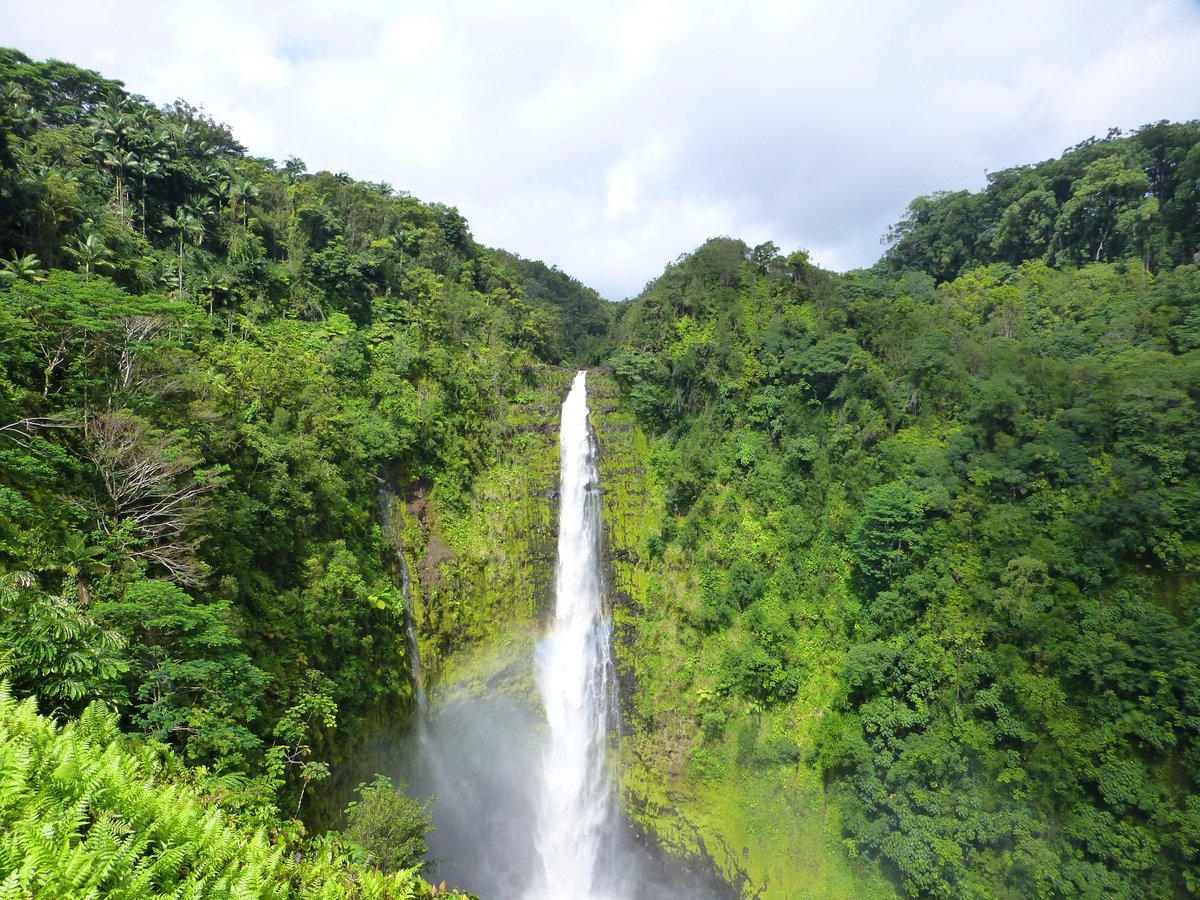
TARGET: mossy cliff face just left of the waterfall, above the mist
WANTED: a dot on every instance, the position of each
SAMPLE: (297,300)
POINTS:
(484,563)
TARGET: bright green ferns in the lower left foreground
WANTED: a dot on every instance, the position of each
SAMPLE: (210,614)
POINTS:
(88,812)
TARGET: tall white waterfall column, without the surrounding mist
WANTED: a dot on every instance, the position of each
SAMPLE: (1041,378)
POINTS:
(574,680)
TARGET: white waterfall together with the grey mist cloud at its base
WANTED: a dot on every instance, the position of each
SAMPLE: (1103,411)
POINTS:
(525,807)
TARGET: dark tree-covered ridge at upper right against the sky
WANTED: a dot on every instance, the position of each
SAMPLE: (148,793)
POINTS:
(1125,197)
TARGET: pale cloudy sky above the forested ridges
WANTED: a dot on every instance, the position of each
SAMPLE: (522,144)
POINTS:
(610,137)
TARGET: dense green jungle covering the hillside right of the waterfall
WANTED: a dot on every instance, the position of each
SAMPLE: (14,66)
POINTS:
(938,529)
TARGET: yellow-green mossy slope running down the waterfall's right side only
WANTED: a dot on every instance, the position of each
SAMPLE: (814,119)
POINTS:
(746,799)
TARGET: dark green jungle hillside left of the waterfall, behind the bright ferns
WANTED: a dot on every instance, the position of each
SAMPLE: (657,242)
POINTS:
(211,369)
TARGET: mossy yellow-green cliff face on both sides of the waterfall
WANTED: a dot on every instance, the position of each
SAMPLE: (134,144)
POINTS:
(483,580)
